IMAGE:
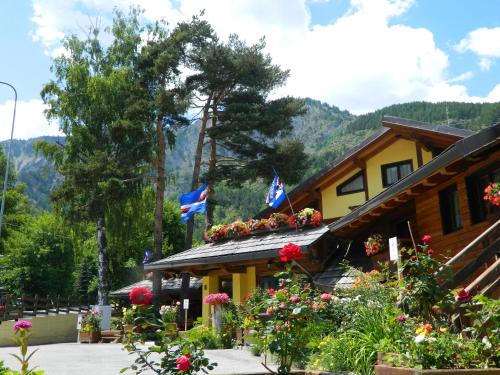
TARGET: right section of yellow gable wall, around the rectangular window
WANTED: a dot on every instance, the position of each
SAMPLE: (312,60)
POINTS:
(400,150)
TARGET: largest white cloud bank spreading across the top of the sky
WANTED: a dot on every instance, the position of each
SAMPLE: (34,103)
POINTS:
(362,61)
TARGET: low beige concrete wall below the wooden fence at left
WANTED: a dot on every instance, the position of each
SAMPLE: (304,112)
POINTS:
(46,330)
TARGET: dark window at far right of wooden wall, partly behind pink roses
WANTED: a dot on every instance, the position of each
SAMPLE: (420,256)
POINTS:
(479,209)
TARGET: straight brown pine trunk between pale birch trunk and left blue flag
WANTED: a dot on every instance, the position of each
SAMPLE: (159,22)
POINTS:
(160,196)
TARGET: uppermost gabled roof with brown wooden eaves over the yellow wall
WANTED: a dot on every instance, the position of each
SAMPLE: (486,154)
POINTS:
(439,135)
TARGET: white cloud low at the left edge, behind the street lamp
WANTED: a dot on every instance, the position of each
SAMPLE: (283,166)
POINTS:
(30,120)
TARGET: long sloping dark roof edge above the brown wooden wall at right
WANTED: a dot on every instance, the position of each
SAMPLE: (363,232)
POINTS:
(476,143)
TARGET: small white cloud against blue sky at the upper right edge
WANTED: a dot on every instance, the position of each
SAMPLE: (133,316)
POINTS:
(484,42)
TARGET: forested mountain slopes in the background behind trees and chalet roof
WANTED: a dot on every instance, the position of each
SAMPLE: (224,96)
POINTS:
(326,131)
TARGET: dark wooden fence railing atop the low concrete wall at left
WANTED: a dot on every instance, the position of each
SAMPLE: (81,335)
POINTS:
(12,307)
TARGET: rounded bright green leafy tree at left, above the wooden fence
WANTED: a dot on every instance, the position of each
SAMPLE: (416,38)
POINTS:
(39,259)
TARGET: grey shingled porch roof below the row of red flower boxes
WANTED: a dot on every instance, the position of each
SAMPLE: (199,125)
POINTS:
(247,248)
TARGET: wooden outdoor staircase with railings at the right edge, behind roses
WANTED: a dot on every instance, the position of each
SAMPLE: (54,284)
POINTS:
(482,270)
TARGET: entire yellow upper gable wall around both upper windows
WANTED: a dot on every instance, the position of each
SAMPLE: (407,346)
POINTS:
(334,206)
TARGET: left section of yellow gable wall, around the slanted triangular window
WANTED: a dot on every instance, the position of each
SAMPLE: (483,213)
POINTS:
(336,206)
